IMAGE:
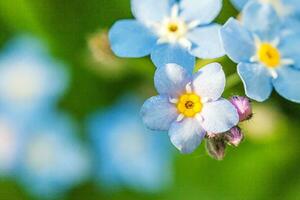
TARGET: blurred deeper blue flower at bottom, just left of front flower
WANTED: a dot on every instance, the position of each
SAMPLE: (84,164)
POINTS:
(126,153)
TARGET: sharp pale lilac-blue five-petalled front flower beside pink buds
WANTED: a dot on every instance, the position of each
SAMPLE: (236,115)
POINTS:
(188,107)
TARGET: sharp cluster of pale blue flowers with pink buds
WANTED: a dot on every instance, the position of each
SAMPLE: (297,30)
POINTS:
(189,106)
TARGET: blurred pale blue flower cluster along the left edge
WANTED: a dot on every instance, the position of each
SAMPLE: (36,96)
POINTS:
(37,143)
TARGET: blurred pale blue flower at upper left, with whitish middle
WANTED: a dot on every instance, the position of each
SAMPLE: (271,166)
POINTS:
(30,79)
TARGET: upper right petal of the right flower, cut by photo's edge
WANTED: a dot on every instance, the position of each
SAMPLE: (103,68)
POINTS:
(289,49)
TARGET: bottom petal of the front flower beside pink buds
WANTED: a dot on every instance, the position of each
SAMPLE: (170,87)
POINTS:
(186,135)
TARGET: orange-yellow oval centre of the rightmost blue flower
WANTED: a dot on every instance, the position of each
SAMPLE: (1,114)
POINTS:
(269,55)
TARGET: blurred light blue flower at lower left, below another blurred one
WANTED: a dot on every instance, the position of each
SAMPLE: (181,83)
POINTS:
(52,159)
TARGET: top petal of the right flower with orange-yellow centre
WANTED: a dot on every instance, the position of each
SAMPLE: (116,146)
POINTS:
(262,19)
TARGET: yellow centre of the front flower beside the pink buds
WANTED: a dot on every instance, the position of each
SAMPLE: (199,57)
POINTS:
(189,105)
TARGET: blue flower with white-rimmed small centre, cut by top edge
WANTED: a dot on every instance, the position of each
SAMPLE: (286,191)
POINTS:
(171,31)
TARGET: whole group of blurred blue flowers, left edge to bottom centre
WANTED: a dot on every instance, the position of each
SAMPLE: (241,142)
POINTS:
(38,143)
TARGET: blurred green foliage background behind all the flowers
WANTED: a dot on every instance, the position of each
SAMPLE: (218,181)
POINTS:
(265,166)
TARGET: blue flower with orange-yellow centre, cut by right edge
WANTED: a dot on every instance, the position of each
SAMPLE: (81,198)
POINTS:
(267,56)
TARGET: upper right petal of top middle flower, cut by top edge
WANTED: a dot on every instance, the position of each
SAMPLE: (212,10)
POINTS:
(202,11)
